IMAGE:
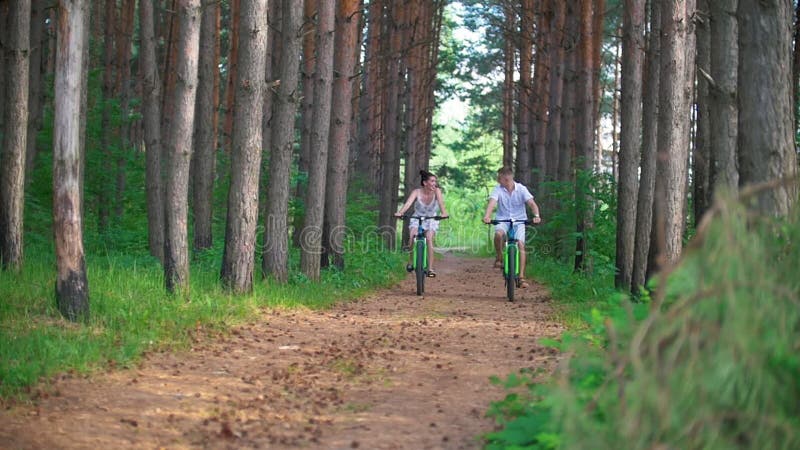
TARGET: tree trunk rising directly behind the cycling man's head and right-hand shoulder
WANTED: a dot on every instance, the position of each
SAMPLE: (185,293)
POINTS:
(523,166)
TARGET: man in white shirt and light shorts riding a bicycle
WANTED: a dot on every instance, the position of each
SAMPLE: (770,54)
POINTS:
(510,198)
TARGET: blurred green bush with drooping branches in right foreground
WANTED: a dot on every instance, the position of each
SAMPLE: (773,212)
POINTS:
(713,364)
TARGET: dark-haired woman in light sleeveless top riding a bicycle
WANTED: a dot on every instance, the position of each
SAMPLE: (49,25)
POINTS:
(428,201)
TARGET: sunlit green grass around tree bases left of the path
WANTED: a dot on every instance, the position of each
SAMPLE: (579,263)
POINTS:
(131,312)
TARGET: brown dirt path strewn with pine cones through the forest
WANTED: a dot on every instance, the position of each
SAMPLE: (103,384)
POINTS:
(393,371)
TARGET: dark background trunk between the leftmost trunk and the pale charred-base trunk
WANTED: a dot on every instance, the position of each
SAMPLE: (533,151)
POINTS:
(35,97)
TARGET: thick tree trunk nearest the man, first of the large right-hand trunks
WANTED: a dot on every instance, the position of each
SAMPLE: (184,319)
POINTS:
(633,26)
